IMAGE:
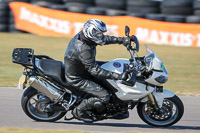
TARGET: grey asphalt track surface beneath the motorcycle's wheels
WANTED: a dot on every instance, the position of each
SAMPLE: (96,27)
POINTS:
(12,115)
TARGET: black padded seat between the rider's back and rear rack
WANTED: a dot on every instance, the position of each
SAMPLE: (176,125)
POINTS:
(53,69)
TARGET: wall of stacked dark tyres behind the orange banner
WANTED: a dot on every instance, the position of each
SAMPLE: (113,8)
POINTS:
(176,11)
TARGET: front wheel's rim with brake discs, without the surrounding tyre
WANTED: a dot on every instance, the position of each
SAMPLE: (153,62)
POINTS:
(169,113)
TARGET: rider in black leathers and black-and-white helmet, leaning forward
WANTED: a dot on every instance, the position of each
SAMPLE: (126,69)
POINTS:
(80,60)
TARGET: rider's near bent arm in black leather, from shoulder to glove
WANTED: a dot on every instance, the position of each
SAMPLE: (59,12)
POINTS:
(89,62)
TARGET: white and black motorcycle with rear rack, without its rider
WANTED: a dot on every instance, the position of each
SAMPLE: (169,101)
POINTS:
(49,97)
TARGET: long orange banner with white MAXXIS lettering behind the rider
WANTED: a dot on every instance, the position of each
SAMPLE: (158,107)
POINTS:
(49,22)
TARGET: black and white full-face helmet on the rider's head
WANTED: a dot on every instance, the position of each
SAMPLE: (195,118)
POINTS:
(93,29)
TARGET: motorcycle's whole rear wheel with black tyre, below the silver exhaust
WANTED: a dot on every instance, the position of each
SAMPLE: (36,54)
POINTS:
(31,102)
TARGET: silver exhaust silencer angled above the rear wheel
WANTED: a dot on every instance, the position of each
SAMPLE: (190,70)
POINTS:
(45,88)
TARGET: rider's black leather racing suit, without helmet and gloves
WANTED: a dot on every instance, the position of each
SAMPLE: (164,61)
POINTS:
(80,61)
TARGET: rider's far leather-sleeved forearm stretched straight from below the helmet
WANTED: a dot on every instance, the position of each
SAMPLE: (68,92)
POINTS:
(113,40)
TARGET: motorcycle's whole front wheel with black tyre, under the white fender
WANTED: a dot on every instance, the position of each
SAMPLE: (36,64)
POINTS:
(170,113)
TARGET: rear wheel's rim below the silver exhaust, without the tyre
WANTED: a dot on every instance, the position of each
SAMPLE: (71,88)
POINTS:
(35,106)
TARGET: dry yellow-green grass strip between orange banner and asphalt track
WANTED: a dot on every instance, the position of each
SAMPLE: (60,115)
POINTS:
(183,63)
